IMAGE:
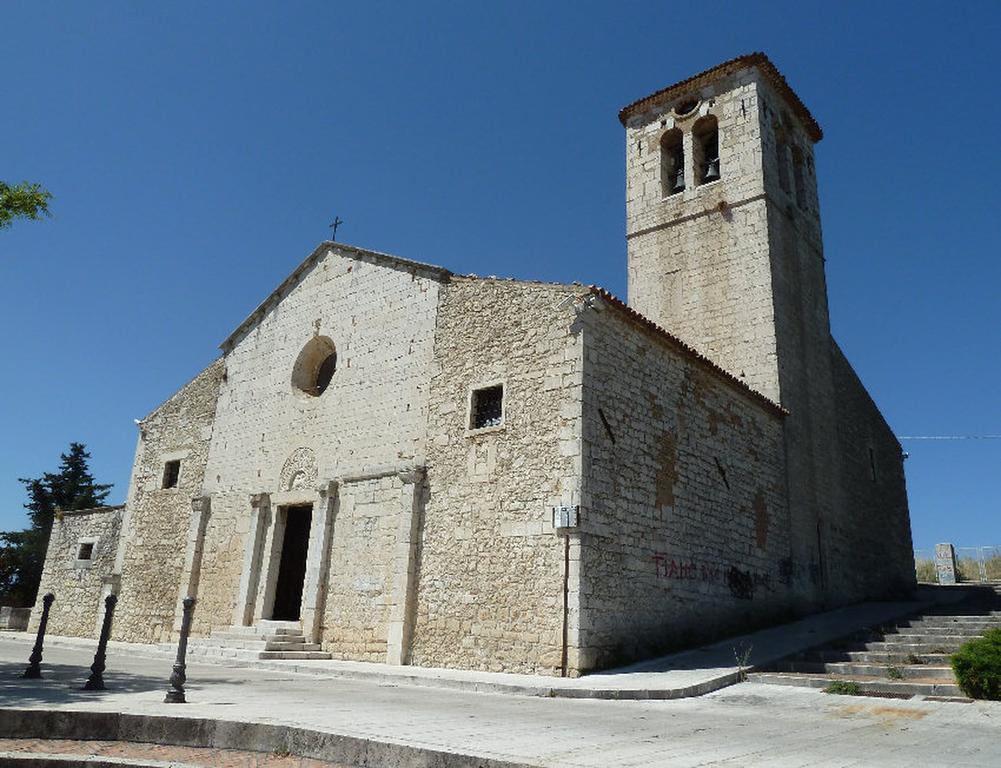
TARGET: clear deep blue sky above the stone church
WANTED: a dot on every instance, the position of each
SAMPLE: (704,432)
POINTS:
(198,152)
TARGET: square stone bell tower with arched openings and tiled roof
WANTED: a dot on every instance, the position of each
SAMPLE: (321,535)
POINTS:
(725,252)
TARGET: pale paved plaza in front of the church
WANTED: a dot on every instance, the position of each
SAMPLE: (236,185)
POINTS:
(742,725)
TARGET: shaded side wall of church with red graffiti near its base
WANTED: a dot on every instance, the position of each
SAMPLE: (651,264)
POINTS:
(685,530)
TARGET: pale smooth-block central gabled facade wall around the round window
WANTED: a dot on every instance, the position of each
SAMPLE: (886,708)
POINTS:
(379,313)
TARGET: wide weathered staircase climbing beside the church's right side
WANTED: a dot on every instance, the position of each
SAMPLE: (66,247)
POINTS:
(902,659)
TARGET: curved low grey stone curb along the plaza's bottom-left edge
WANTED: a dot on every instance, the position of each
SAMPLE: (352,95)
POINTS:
(230,734)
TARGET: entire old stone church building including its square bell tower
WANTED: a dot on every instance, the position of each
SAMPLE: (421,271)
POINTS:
(414,467)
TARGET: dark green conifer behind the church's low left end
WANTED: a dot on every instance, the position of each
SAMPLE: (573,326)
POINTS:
(23,553)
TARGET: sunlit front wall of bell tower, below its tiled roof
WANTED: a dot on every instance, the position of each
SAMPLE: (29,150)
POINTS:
(699,260)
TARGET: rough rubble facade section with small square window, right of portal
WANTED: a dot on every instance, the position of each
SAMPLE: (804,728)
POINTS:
(490,594)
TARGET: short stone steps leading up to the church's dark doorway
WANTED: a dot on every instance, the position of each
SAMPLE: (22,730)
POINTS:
(265,640)
